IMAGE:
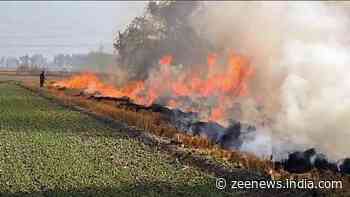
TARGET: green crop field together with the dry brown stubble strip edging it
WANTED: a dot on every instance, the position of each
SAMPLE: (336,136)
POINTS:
(51,145)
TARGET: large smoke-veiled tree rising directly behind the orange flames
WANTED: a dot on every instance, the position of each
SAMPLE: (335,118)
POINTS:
(163,29)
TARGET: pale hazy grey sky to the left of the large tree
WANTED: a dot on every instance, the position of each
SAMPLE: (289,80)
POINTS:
(62,27)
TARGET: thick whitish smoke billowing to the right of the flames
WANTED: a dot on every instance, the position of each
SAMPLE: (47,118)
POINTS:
(301,55)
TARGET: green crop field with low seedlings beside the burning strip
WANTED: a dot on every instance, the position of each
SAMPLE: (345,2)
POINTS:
(49,150)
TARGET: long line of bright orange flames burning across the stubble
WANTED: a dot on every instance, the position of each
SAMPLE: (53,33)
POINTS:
(194,88)
